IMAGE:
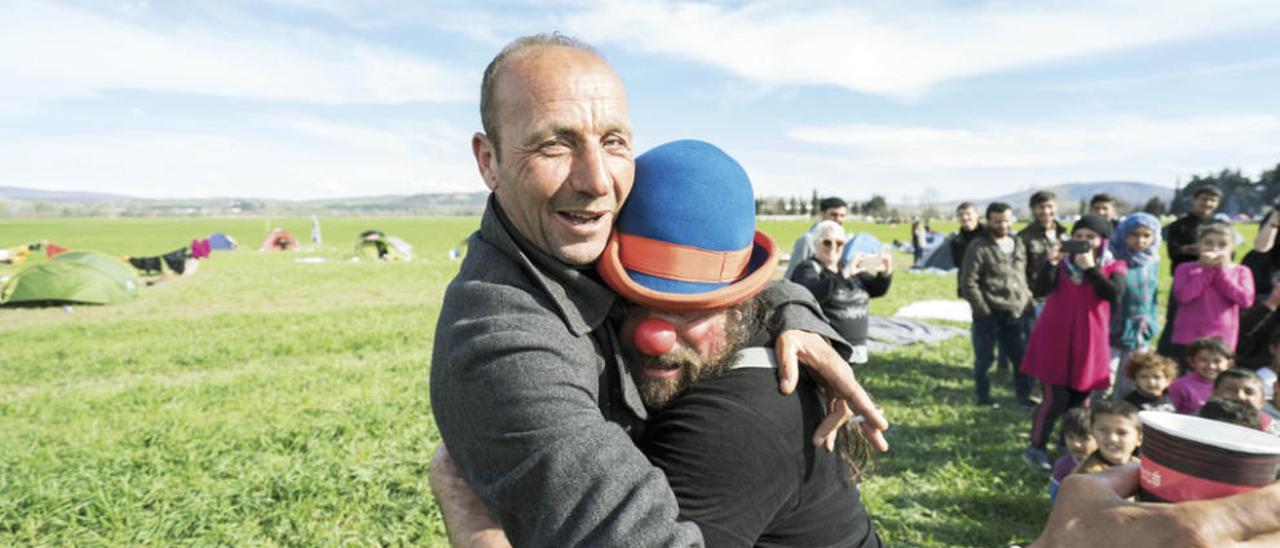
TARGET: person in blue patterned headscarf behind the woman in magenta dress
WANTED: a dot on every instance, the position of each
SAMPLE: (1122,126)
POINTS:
(1133,322)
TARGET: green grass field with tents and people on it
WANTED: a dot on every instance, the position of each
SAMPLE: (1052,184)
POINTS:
(263,401)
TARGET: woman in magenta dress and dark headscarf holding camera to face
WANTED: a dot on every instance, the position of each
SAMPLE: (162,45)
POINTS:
(1071,346)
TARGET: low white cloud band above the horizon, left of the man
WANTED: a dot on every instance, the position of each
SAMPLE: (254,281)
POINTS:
(280,158)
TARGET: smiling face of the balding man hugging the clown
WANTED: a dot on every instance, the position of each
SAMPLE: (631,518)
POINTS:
(564,167)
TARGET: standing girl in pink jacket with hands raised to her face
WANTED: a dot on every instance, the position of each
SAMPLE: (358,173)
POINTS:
(1212,291)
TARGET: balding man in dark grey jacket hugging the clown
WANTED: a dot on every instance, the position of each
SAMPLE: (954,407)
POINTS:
(528,385)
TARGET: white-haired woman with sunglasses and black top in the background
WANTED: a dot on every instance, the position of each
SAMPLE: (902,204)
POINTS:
(844,289)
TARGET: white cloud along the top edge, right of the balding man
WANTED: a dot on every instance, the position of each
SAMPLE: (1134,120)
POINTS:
(902,48)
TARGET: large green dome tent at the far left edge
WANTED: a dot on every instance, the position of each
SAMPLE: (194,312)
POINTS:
(86,277)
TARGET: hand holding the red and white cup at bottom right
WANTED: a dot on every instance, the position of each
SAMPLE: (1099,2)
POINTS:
(1092,510)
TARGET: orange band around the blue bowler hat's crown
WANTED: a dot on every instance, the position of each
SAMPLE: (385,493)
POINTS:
(682,263)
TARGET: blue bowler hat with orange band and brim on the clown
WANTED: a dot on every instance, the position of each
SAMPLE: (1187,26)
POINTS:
(687,238)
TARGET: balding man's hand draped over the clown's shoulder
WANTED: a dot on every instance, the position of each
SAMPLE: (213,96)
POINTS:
(797,348)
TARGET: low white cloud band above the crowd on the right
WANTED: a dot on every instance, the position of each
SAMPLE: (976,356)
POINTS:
(991,159)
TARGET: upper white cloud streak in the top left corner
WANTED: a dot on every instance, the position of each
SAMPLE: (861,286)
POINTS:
(49,52)
